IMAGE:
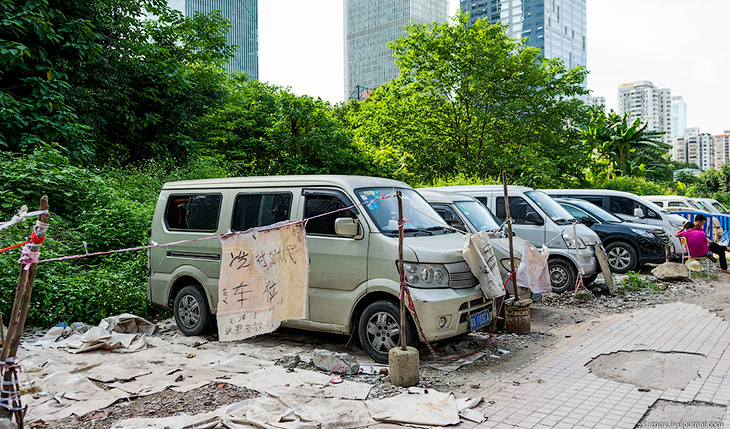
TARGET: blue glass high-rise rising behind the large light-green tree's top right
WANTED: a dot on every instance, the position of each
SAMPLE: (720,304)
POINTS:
(557,27)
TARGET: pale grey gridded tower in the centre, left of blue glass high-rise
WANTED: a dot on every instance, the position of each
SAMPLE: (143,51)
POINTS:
(369,27)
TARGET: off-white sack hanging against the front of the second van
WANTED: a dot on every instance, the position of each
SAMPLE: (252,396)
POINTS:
(479,255)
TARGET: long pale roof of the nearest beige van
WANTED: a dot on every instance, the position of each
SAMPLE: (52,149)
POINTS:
(346,182)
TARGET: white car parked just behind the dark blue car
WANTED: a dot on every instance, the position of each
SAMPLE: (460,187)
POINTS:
(629,207)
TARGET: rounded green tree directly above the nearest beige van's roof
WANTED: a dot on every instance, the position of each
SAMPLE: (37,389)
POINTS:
(267,130)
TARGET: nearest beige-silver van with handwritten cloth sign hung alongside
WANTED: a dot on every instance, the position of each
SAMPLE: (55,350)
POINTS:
(353,280)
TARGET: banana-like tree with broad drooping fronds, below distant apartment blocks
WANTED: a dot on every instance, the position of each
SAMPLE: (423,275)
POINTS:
(624,148)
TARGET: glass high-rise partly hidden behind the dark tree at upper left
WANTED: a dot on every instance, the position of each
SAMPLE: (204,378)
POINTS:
(244,32)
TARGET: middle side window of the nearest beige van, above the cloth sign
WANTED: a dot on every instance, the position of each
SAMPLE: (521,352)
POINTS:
(254,210)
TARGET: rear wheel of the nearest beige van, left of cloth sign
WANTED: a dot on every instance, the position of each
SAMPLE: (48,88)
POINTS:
(192,313)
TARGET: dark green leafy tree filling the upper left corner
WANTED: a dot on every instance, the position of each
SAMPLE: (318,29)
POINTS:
(94,78)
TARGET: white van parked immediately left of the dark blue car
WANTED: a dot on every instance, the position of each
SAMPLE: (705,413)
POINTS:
(540,220)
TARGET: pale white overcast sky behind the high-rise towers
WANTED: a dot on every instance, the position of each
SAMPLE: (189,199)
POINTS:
(679,45)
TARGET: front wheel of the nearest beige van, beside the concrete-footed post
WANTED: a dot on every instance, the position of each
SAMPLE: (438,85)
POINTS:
(375,329)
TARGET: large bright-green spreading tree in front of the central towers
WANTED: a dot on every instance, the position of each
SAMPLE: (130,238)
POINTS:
(472,100)
